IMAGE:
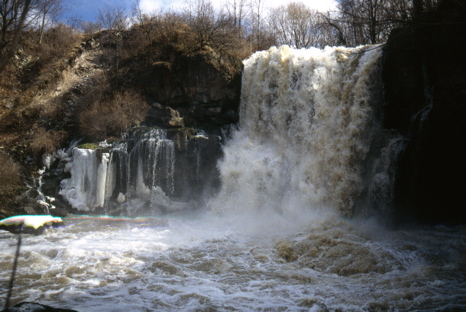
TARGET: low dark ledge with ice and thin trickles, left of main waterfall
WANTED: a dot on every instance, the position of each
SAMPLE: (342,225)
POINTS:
(150,171)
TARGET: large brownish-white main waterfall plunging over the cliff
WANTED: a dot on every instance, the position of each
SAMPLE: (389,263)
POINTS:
(308,131)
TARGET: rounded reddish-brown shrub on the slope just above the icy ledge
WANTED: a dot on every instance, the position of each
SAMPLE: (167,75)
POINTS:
(111,117)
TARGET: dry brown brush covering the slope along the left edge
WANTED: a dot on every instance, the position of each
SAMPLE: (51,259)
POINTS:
(31,73)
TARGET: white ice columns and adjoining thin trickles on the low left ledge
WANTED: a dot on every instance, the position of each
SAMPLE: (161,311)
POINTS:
(144,171)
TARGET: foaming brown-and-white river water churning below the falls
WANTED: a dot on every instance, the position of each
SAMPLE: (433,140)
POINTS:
(207,263)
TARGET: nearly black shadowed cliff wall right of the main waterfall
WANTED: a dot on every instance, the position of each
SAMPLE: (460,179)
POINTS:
(425,87)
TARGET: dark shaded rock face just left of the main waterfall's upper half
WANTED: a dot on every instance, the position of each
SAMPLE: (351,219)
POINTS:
(196,91)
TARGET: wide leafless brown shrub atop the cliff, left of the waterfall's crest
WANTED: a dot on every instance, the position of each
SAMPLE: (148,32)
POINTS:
(160,36)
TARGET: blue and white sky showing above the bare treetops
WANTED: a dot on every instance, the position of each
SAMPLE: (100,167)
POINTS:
(88,9)
